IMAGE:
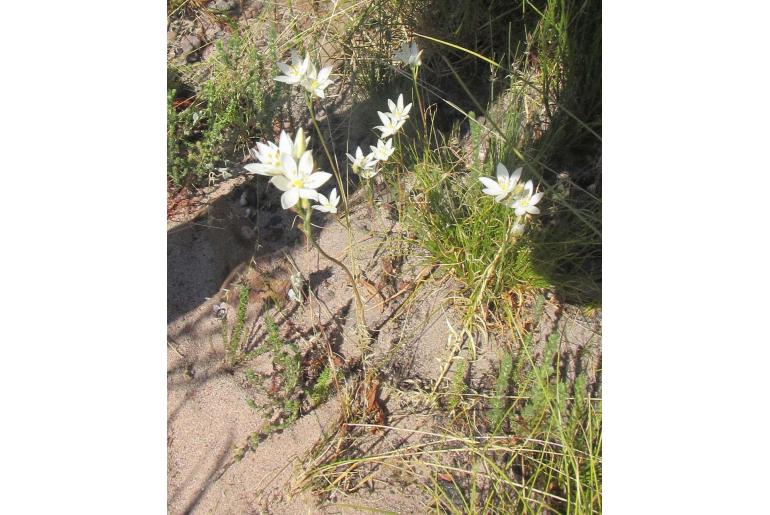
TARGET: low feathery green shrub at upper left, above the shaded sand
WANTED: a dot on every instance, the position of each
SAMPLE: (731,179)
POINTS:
(231,100)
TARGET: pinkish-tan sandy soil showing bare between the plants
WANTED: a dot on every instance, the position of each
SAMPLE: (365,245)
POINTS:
(208,414)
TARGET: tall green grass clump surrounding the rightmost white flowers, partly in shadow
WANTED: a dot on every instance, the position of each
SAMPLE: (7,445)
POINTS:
(531,115)
